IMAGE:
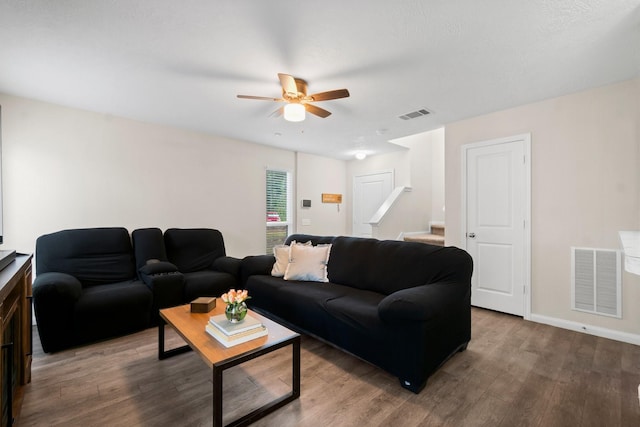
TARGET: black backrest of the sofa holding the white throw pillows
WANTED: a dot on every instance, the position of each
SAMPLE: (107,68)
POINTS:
(386,266)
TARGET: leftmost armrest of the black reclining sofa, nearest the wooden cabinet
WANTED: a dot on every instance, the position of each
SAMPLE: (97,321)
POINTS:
(54,298)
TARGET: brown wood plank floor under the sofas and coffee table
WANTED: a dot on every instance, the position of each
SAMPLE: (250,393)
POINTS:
(514,373)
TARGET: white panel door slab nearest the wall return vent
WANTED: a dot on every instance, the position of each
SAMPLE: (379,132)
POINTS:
(497,221)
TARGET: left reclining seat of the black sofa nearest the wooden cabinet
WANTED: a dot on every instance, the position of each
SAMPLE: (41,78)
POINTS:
(86,287)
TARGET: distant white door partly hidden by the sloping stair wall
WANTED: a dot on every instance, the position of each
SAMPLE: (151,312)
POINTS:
(369,192)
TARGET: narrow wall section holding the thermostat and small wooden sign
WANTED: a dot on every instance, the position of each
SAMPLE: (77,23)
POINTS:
(317,175)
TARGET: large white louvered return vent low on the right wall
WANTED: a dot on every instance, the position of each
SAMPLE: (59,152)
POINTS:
(596,281)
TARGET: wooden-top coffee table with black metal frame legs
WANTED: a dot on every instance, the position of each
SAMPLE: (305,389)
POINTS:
(191,327)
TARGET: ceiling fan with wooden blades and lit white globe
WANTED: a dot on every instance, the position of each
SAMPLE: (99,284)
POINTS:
(294,93)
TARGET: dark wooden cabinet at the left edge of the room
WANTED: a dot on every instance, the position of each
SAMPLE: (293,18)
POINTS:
(15,337)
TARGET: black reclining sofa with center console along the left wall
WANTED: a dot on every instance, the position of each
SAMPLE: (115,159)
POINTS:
(93,283)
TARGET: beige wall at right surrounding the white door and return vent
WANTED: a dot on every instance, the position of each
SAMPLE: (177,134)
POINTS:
(585,188)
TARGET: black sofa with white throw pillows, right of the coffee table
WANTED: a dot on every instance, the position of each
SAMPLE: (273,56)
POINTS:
(405,307)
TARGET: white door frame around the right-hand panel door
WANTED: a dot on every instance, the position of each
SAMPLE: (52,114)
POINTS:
(526,139)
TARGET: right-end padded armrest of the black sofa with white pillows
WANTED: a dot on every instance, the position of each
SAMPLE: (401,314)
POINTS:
(423,303)
